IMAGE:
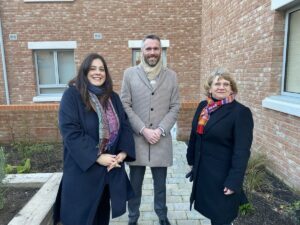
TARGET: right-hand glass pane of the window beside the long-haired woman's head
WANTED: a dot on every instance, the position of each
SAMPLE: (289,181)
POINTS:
(66,66)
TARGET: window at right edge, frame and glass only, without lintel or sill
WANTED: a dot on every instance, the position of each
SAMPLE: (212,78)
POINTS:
(291,77)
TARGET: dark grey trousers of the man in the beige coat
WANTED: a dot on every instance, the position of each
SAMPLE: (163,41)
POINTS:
(159,175)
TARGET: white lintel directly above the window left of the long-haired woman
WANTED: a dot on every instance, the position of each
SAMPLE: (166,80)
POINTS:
(52,45)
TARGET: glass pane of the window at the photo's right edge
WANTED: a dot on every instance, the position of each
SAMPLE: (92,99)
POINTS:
(292,76)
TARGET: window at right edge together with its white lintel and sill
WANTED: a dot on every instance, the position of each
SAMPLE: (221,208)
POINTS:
(289,100)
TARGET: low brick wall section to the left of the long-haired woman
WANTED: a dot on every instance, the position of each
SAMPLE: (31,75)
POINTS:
(34,123)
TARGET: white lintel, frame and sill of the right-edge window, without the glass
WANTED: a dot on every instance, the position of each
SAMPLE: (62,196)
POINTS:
(286,102)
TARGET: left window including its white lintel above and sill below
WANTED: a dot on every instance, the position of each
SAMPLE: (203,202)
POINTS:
(55,66)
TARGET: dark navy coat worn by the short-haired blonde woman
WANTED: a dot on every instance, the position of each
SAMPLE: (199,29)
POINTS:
(219,158)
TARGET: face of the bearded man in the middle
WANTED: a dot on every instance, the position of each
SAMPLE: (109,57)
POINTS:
(151,51)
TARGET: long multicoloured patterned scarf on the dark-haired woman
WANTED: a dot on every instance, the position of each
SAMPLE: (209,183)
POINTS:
(107,133)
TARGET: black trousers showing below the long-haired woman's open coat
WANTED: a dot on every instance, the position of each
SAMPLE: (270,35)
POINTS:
(103,211)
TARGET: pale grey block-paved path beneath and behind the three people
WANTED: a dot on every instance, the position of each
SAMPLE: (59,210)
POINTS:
(178,193)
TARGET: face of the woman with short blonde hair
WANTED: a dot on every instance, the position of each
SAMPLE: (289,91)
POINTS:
(220,88)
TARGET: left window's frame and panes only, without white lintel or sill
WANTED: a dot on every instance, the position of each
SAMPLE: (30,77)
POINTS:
(54,69)
